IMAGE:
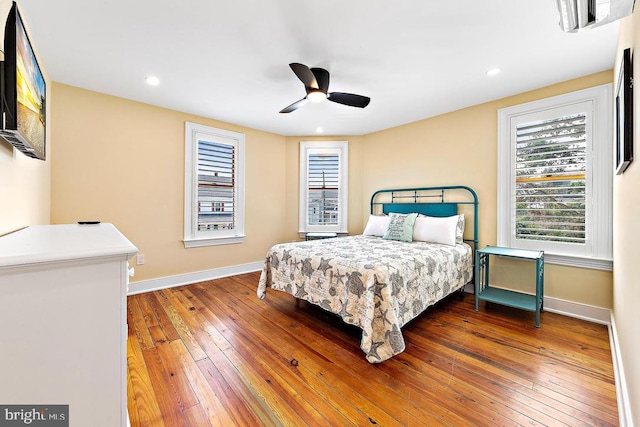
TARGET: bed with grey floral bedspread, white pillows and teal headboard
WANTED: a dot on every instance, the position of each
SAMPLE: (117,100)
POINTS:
(384,278)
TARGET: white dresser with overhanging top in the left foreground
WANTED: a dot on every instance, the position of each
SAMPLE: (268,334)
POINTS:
(63,320)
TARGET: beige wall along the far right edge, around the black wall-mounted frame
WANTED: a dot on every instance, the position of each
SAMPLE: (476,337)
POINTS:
(626,235)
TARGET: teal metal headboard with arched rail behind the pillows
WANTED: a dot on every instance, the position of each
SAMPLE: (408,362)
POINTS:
(432,201)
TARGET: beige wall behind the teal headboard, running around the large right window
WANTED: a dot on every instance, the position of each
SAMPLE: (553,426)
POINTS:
(460,148)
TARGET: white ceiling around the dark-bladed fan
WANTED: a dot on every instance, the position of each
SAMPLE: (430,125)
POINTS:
(228,60)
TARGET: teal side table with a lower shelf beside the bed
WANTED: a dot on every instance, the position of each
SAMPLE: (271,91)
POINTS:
(483,291)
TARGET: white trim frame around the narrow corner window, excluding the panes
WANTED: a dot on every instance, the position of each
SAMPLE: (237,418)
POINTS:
(310,147)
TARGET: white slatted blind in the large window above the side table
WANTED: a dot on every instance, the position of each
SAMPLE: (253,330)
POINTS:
(550,172)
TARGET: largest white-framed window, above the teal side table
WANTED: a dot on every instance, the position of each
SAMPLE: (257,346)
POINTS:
(555,178)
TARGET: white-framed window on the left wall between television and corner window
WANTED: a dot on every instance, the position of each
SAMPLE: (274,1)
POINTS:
(214,186)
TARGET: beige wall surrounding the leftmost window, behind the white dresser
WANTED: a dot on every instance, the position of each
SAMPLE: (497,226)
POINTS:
(122,162)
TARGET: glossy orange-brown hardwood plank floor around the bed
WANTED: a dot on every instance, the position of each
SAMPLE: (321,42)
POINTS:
(214,354)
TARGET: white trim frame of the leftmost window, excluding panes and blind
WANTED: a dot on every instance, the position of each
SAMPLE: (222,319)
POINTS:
(192,236)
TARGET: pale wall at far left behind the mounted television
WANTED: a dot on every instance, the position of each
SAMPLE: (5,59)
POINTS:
(24,182)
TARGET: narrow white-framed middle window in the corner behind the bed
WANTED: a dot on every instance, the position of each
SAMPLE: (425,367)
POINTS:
(323,186)
